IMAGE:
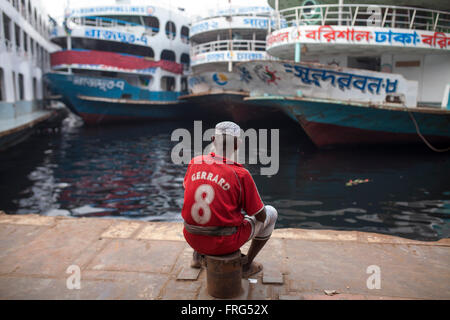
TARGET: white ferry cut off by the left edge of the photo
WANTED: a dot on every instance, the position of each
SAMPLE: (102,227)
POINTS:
(24,58)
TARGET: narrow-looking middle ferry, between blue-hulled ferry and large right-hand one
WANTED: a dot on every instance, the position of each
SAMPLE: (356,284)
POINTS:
(218,43)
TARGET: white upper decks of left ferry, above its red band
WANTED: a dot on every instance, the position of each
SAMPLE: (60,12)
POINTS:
(146,31)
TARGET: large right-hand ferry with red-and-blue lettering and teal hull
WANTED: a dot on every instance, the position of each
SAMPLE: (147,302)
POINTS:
(359,74)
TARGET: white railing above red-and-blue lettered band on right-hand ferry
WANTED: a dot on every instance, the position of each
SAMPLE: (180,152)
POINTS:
(363,15)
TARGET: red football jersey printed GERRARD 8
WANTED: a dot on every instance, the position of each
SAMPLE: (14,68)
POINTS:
(217,190)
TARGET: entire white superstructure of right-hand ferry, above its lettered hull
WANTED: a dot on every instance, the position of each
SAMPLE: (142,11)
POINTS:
(408,38)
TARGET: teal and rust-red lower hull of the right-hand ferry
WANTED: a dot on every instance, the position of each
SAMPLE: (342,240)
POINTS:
(335,124)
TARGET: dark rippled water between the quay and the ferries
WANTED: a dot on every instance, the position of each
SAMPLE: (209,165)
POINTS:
(126,172)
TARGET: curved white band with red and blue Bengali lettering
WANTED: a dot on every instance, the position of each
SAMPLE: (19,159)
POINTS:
(343,35)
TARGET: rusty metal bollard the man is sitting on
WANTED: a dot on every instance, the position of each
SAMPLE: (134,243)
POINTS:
(224,275)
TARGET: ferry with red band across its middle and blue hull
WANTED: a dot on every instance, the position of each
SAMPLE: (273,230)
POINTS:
(122,62)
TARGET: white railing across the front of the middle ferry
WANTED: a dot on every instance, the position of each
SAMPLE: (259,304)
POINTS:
(229,45)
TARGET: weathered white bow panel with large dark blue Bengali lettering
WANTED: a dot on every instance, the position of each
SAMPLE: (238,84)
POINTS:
(285,78)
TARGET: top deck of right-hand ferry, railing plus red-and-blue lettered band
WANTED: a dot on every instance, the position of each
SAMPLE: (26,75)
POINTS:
(335,27)
